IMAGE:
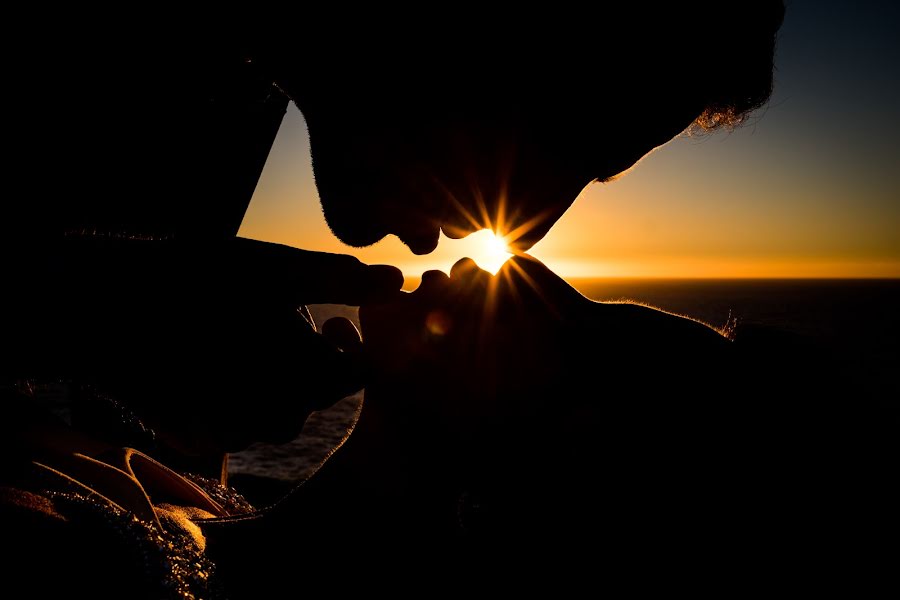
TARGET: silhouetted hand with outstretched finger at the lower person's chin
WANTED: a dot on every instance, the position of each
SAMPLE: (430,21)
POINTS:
(206,341)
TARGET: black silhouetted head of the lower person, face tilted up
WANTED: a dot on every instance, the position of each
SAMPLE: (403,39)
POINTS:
(517,390)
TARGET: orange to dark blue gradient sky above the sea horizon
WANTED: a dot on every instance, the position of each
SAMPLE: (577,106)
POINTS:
(810,187)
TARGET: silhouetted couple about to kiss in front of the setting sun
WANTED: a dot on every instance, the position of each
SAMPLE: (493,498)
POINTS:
(501,411)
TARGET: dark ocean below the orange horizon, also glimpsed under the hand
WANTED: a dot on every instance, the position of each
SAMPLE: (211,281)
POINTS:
(857,321)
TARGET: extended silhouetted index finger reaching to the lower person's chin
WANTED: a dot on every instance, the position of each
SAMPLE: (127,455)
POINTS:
(306,277)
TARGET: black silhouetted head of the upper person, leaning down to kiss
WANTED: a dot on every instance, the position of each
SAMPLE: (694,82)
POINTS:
(467,122)
